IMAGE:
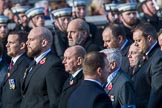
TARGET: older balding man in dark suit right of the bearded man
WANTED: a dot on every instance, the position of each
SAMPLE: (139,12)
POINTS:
(73,58)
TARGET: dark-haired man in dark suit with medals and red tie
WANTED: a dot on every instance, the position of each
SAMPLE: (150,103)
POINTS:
(16,48)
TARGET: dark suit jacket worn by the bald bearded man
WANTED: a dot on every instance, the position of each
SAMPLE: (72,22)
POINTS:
(43,85)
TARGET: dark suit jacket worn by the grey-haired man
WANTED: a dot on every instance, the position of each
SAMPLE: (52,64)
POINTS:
(121,91)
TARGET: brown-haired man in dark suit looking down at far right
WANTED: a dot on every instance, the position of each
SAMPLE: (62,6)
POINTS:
(147,77)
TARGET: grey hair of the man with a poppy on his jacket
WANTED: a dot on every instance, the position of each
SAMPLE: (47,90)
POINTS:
(113,54)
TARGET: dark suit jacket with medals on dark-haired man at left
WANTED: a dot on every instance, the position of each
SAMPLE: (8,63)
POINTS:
(11,98)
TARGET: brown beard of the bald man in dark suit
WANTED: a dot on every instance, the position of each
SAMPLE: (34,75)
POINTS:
(33,53)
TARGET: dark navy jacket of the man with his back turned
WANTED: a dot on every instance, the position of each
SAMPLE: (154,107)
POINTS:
(89,95)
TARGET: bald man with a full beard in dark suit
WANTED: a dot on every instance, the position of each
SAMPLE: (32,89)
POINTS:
(43,81)
